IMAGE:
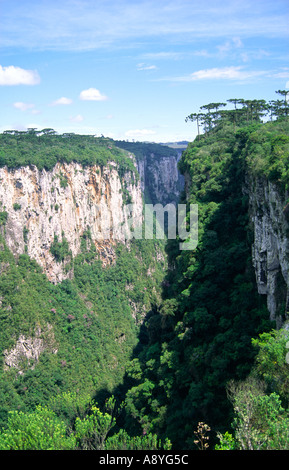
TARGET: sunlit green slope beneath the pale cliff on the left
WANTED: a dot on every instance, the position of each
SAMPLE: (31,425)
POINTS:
(92,321)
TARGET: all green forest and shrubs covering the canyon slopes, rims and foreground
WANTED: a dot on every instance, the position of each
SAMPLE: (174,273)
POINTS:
(204,368)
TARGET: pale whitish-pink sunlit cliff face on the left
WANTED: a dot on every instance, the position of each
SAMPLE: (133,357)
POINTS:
(63,204)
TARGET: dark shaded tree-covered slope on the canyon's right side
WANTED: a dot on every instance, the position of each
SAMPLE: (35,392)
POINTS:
(201,337)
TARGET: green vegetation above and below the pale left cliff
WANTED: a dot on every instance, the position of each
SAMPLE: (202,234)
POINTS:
(88,324)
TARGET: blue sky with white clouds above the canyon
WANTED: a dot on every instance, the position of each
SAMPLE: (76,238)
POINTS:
(134,70)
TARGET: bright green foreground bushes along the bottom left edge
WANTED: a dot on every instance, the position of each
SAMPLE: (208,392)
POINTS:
(43,429)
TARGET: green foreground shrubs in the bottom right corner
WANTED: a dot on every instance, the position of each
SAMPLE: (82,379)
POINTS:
(260,403)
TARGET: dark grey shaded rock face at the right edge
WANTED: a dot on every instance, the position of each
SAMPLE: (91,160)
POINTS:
(269,214)
